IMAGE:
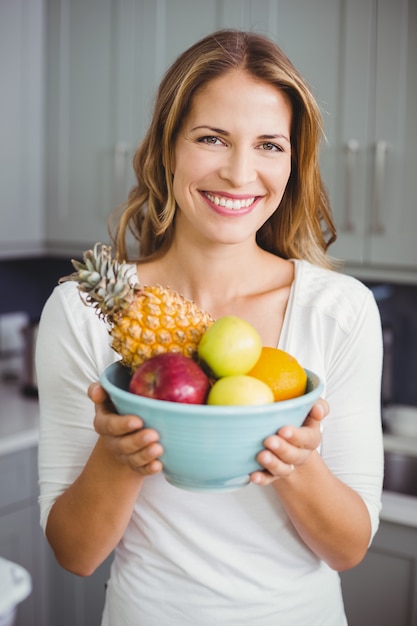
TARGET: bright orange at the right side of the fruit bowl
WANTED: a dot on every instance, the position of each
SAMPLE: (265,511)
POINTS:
(282,372)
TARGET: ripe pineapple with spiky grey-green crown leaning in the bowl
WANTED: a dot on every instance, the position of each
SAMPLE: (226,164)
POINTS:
(144,321)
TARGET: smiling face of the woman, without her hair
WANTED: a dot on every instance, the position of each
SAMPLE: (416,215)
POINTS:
(232,159)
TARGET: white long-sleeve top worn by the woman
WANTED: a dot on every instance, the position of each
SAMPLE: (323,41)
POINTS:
(225,559)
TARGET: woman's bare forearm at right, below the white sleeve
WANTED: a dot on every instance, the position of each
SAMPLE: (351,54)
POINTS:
(329,516)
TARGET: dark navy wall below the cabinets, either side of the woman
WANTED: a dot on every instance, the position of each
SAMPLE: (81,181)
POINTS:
(27,284)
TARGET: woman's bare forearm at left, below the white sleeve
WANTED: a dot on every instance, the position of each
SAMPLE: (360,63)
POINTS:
(89,518)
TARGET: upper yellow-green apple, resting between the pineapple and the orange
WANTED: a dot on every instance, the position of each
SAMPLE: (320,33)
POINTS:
(230,346)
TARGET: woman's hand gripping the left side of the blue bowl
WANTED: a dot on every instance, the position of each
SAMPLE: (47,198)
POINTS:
(125,435)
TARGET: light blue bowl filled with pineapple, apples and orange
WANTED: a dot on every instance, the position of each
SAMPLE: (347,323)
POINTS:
(209,387)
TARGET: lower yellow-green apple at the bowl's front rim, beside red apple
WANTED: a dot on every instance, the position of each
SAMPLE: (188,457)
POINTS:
(239,390)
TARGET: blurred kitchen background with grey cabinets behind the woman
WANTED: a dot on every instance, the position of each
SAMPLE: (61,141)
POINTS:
(77,81)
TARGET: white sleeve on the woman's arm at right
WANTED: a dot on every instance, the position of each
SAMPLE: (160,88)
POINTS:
(352,443)
